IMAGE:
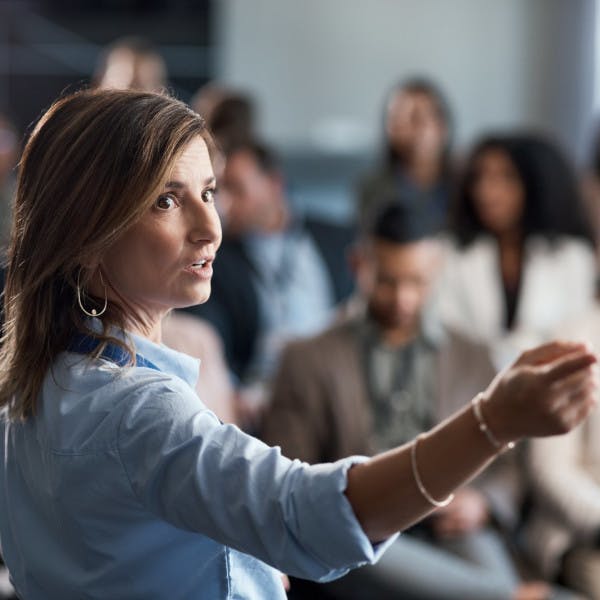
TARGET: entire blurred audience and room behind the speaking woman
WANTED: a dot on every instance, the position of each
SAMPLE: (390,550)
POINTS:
(474,117)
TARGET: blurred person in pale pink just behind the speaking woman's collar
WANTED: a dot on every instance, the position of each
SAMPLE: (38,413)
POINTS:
(198,338)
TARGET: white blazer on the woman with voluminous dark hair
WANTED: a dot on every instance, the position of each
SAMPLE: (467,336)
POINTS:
(558,282)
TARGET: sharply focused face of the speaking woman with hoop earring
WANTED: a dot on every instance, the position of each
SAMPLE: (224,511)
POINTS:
(164,261)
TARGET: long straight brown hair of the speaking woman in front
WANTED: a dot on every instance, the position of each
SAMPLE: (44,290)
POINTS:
(89,171)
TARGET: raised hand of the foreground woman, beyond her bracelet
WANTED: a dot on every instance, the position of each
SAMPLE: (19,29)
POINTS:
(548,391)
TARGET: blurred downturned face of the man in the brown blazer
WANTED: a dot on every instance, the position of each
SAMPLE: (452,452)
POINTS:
(396,279)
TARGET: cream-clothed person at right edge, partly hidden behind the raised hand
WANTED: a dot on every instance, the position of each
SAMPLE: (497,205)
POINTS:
(563,530)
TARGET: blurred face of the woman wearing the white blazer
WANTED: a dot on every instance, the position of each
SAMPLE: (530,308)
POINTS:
(498,192)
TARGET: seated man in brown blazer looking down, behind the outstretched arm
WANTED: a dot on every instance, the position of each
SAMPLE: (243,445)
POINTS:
(385,372)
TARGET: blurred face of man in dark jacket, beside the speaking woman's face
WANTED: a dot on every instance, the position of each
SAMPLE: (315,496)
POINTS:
(248,195)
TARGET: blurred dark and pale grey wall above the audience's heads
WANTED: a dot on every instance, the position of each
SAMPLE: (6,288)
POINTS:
(319,71)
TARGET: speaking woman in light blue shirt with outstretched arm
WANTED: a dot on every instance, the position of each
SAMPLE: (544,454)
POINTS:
(117,481)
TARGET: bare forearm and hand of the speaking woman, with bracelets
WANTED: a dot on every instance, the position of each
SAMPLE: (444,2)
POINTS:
(547,391)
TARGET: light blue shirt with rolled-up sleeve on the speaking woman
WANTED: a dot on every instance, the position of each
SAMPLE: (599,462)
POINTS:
(126,486)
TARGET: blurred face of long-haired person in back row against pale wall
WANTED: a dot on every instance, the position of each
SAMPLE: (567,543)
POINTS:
(414,126)
